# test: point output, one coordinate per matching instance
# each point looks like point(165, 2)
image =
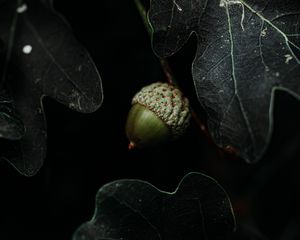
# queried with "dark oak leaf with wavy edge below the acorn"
point(136, 210)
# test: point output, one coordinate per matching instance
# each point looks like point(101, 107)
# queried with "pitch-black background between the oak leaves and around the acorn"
point(86, 151)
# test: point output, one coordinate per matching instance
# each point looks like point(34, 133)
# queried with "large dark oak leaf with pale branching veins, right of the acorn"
point(246, 50)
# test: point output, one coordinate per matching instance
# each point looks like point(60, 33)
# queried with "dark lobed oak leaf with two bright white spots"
point(43, 58)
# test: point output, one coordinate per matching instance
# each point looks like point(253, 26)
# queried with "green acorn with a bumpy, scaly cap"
point(159, 113)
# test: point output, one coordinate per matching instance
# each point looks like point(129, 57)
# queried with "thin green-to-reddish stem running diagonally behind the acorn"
point(167, 68)
